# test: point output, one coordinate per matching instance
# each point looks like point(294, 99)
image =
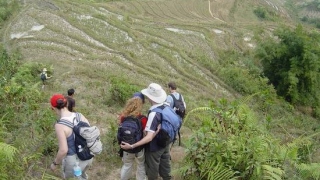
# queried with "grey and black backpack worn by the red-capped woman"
point(86, 138)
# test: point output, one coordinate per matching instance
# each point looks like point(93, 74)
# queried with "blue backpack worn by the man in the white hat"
point(170, 125)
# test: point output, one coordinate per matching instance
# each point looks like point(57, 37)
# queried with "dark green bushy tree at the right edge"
point(291, 62)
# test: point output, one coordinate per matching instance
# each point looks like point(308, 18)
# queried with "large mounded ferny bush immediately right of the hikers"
point(229, 145)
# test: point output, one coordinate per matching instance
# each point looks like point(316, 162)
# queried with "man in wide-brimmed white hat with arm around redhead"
point(157, 157)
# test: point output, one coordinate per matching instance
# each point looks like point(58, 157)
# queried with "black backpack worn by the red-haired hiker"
point(130, 131)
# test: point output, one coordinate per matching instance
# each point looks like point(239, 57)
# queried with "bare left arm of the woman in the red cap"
point(63, 146)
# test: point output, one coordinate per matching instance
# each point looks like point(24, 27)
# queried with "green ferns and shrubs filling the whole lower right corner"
point(231, 141)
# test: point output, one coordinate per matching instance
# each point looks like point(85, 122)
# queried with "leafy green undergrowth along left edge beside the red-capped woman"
point(19, 98)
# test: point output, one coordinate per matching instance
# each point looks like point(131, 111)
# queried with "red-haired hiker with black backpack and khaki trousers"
point(131, 128)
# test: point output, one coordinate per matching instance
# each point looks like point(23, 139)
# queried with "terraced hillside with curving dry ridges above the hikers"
point(145, 39)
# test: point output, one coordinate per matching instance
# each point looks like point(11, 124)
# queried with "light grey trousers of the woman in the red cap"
point(69, 162)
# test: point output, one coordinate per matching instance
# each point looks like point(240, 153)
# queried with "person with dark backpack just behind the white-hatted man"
point(176, 100)
